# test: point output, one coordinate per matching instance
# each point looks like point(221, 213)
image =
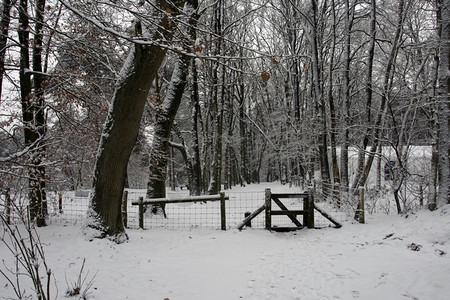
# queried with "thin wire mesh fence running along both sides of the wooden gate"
point(69, 208)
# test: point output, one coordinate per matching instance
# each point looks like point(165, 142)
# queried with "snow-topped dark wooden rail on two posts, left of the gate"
point(188, 199)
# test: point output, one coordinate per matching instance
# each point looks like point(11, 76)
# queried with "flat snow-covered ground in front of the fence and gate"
point(371, 261)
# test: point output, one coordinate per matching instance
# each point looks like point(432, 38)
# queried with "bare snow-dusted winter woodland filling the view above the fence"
point(209, 96)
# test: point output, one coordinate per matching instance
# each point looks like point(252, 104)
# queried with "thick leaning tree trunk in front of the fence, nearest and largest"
point(122, 126)
